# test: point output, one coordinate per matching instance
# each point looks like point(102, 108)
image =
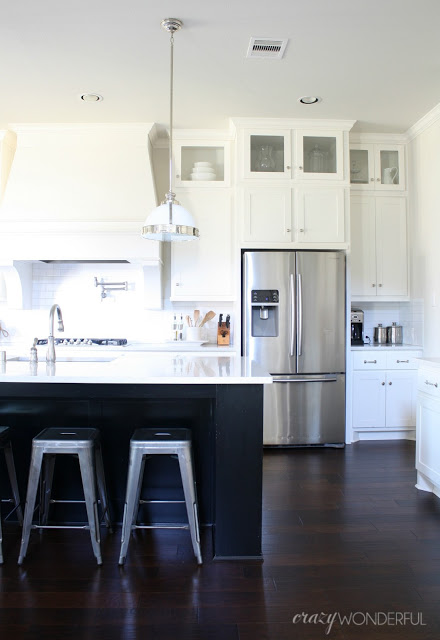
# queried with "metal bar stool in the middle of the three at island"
point(85, 444)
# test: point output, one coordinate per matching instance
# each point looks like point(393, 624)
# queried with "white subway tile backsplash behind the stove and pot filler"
point(120, 315)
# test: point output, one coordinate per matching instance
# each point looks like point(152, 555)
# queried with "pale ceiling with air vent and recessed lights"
point(377, 61)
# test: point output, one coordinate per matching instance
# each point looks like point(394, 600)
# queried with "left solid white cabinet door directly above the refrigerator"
point(267, 215)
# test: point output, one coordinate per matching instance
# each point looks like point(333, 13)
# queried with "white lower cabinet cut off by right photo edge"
point(428, 430)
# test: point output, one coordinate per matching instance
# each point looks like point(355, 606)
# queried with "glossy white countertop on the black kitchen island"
point(139, 368)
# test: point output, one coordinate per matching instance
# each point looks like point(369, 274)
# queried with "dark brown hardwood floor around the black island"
point(344, 533)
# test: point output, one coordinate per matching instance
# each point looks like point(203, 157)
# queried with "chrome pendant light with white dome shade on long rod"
point(170, 222)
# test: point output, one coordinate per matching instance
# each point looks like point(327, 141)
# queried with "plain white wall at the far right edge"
point(424, 178)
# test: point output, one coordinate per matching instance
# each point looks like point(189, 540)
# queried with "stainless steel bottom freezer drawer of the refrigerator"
point(304, 410)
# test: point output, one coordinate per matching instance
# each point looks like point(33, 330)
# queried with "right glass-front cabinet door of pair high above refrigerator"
point(319, 155)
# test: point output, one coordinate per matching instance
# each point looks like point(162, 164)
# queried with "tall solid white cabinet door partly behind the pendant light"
point(203, 269)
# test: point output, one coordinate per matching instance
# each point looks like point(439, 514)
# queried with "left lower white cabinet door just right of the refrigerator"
point(368, 399)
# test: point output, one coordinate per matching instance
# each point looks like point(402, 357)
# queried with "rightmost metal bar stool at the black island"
point(147, 442)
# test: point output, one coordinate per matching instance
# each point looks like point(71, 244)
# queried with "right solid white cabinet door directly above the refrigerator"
point(320, 215)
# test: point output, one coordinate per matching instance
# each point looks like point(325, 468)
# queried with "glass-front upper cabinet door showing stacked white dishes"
point(200, 163)
